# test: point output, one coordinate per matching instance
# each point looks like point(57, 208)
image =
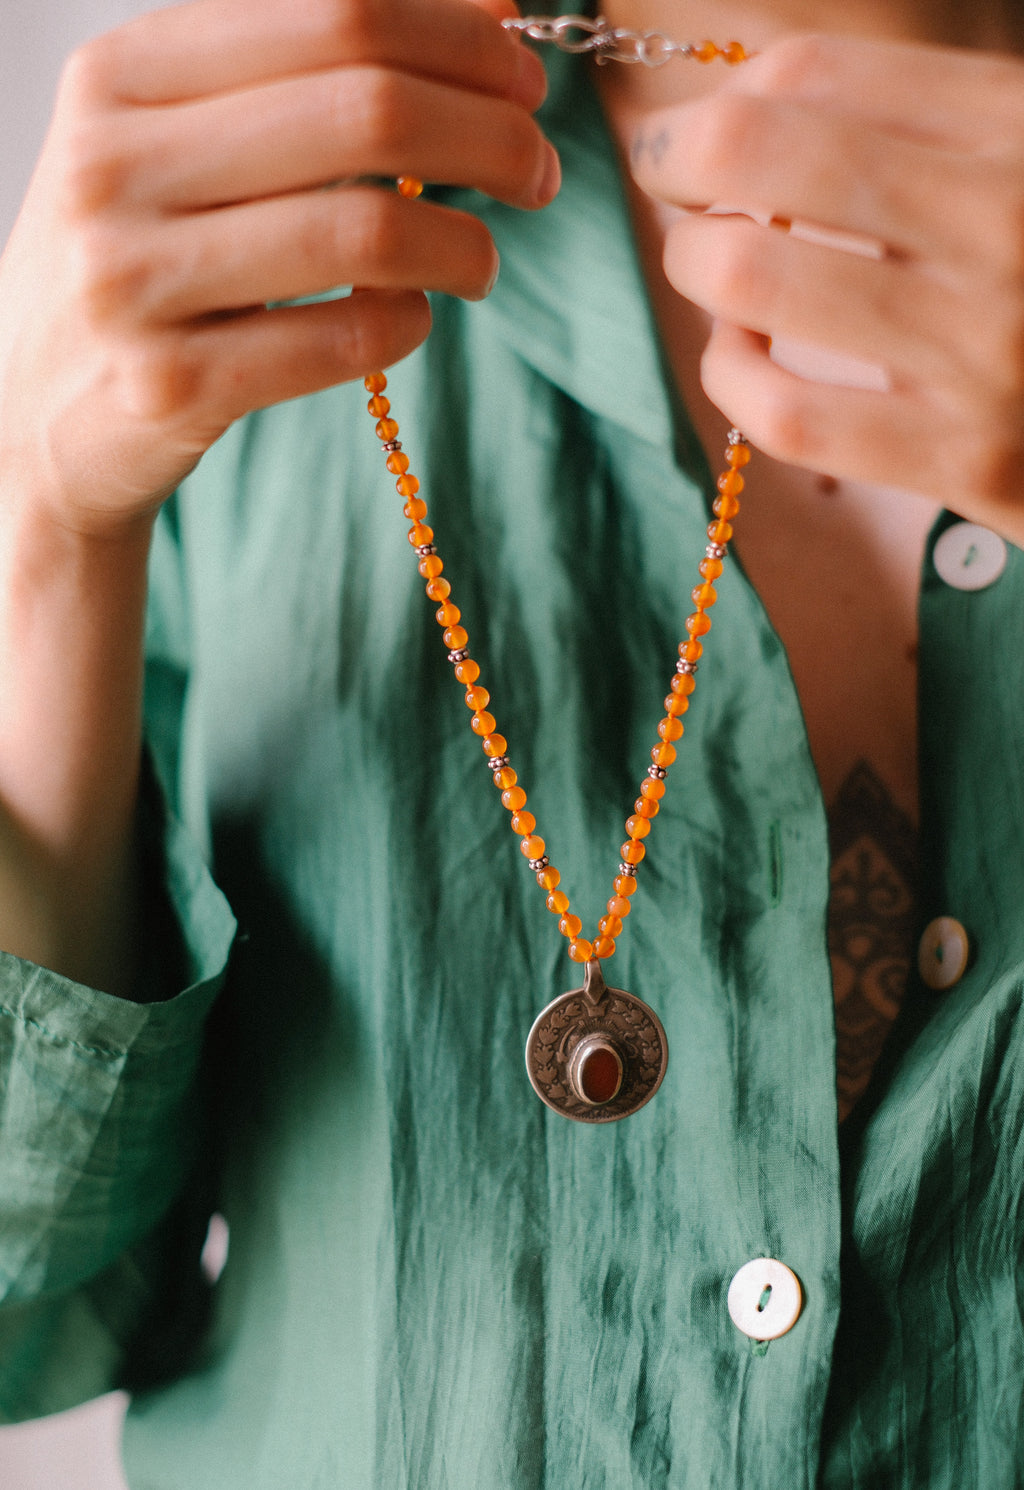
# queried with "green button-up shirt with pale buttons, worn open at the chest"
point(436, 1284)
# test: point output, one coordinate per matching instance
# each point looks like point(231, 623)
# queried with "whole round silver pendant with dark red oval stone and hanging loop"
point(597, 1054)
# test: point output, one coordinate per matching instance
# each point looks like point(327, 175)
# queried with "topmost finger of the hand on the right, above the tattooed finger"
point(937, 95)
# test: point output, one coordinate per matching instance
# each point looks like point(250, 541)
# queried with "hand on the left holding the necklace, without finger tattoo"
point(184, 188)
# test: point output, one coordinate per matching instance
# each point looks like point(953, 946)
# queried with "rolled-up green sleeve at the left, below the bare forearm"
point(99, 1130)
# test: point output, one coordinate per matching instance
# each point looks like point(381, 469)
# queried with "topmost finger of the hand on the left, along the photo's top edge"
point(211, 47)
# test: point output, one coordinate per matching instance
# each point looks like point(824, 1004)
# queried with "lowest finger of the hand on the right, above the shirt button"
point(897, 440)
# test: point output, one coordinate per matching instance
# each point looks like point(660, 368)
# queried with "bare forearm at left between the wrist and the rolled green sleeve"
point(71, 707)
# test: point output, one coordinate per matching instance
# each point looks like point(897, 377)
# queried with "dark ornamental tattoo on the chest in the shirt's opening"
point(873, 923)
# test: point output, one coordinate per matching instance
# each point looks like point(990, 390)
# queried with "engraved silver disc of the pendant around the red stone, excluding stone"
point(597, 1009)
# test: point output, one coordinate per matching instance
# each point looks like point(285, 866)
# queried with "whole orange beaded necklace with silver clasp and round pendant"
point(595, 1054)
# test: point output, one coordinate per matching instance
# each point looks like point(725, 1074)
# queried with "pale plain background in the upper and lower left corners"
point(77, 1452)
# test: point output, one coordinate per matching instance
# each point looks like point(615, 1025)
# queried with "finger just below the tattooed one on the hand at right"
point(894, 314)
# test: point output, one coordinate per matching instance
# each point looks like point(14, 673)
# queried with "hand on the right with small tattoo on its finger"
point(917, 151)
